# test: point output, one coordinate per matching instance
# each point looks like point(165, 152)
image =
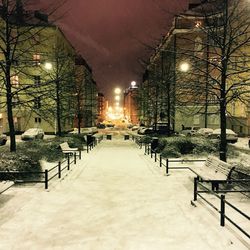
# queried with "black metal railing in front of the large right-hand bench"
point(223, 202)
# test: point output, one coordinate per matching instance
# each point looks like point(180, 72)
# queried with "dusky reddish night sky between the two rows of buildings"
point(107, 34)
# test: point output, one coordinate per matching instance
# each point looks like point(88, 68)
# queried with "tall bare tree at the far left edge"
point(17, 29)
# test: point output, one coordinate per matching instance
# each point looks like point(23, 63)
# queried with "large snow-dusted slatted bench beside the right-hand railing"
point(214, 171)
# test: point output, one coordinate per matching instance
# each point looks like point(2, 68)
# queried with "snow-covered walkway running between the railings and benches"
point(116, 198)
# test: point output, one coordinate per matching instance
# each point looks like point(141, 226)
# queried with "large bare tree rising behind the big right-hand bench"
point(220, 62)
